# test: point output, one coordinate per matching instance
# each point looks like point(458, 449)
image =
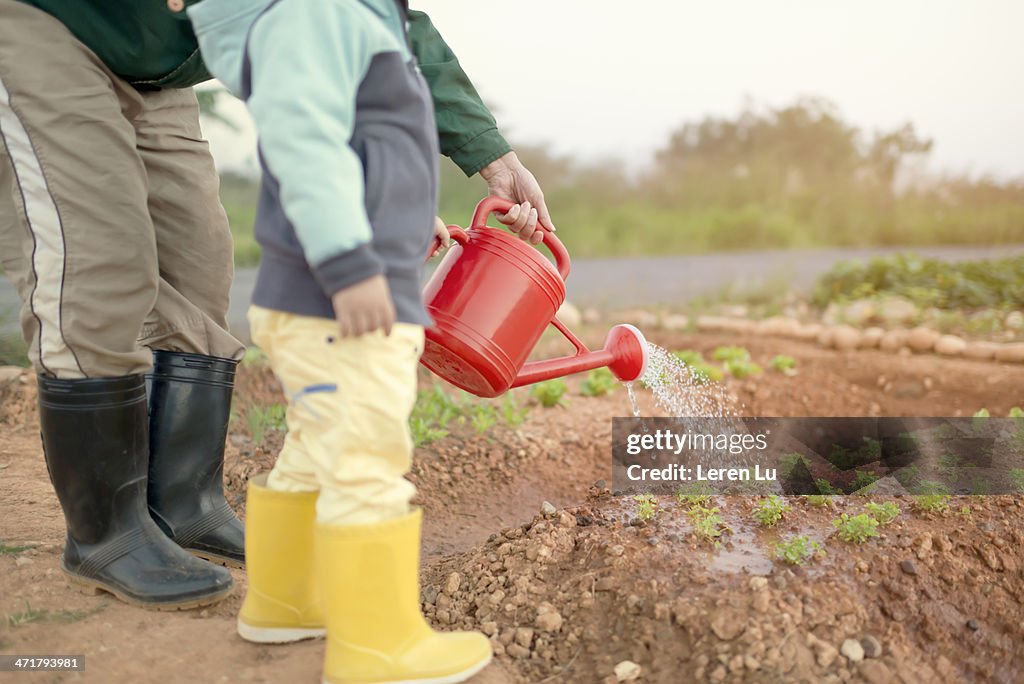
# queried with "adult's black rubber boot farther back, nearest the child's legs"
point(190, 408)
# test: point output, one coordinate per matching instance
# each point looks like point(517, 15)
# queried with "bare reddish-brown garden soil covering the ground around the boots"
point(569, 595)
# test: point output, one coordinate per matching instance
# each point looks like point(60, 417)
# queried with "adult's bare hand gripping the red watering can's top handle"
point(509, 180)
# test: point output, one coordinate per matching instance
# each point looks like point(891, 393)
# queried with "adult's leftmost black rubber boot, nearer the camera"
point(96, 440)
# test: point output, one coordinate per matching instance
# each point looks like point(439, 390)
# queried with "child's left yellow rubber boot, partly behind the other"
point(282, 605)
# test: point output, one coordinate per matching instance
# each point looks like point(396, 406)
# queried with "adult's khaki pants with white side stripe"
point(111, 226)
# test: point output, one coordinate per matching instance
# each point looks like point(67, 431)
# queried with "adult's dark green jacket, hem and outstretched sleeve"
point(153, 48)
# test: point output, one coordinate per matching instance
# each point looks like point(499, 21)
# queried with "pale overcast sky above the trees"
point(602, 79)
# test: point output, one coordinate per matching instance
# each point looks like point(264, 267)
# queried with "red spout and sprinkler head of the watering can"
point(625, 354)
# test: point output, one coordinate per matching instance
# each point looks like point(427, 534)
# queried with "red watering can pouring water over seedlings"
point(491, 298)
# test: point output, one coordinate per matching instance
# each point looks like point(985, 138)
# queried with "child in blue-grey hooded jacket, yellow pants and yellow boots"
point(350, 154)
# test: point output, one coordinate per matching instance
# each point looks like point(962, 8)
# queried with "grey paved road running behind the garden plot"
point(652, 281)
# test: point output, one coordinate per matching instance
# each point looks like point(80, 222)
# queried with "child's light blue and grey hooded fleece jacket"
point(347, 139)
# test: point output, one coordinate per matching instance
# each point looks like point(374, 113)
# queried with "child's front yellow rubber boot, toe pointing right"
point(369, 578)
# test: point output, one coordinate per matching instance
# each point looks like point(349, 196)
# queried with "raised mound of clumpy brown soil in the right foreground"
point(578, 592)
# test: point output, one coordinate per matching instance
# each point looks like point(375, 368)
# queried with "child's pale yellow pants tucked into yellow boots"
point(349, 407)
